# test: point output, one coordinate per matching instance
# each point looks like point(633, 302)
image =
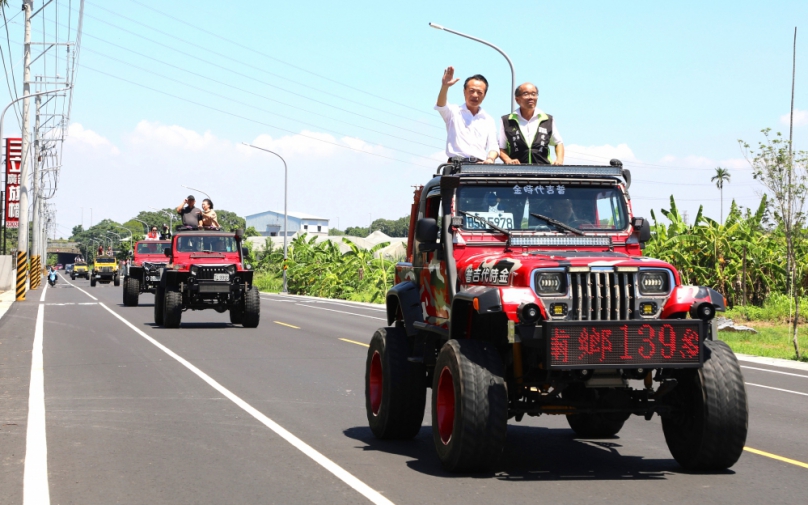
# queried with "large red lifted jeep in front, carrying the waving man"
point(526, 293)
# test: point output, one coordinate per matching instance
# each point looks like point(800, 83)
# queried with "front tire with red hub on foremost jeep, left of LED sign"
point(469, 405)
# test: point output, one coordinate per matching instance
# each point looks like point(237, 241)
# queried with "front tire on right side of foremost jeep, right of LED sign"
point(707, 429)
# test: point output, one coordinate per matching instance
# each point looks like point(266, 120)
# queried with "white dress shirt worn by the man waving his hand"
point(468, 135)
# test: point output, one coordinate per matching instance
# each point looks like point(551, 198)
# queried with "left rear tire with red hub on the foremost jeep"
point(395, 388)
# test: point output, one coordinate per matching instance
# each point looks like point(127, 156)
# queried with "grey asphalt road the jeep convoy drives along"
point(215, 413)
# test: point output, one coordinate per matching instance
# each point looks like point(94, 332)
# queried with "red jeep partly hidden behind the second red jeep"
point(143, 275)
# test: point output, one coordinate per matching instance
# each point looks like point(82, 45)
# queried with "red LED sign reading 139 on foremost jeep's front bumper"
point(621, 344)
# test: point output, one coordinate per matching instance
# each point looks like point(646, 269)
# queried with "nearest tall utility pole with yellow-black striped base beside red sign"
point(22, 246)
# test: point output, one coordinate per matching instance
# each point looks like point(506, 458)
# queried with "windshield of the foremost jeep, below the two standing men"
point(519, 207)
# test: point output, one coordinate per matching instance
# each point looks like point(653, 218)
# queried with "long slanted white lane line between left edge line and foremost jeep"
point(363, 489)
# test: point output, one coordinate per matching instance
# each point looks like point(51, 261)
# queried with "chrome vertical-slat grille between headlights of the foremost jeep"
point(603, 295)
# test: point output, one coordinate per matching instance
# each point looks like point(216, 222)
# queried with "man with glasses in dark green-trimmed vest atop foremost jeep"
point(525, 135)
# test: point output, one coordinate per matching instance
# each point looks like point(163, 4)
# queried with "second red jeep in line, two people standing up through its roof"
point(206, 270)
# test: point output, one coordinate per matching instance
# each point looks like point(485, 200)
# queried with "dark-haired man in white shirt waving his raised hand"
point(470, 132)
